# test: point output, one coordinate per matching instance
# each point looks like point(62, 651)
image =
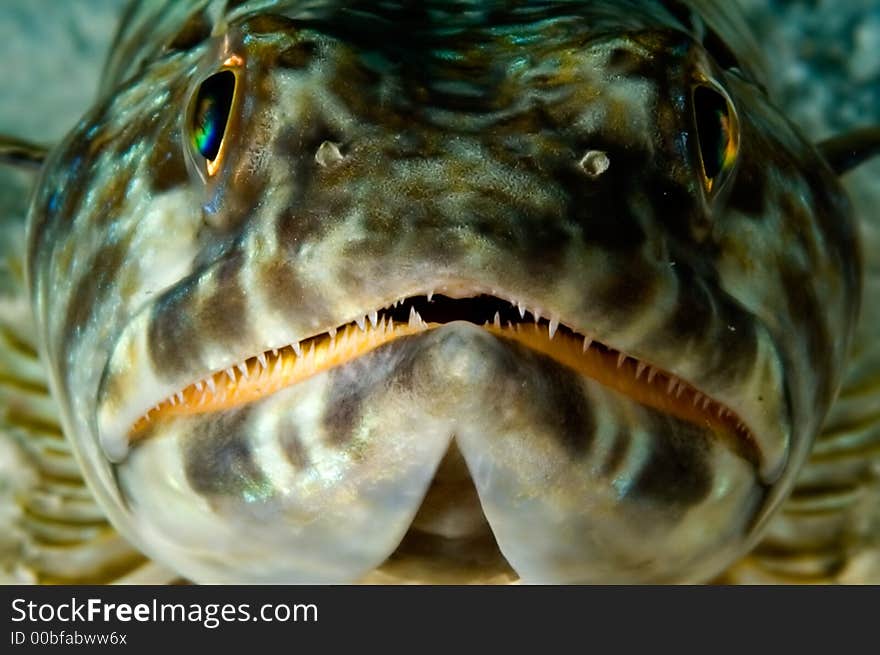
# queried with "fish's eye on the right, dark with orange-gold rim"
point(717, 133)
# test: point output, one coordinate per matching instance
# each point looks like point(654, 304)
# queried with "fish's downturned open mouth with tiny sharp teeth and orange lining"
point(269, 371)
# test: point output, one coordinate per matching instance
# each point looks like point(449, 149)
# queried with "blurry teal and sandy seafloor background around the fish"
point(823, 57)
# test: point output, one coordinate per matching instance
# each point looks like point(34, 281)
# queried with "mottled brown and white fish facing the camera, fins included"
point(497, 292)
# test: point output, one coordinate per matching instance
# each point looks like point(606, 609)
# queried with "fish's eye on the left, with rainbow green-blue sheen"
point(210, 115)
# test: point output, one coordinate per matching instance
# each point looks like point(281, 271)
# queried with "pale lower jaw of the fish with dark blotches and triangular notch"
point(445, 456)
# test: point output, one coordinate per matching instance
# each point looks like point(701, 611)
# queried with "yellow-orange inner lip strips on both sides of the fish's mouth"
point(272, 371)
